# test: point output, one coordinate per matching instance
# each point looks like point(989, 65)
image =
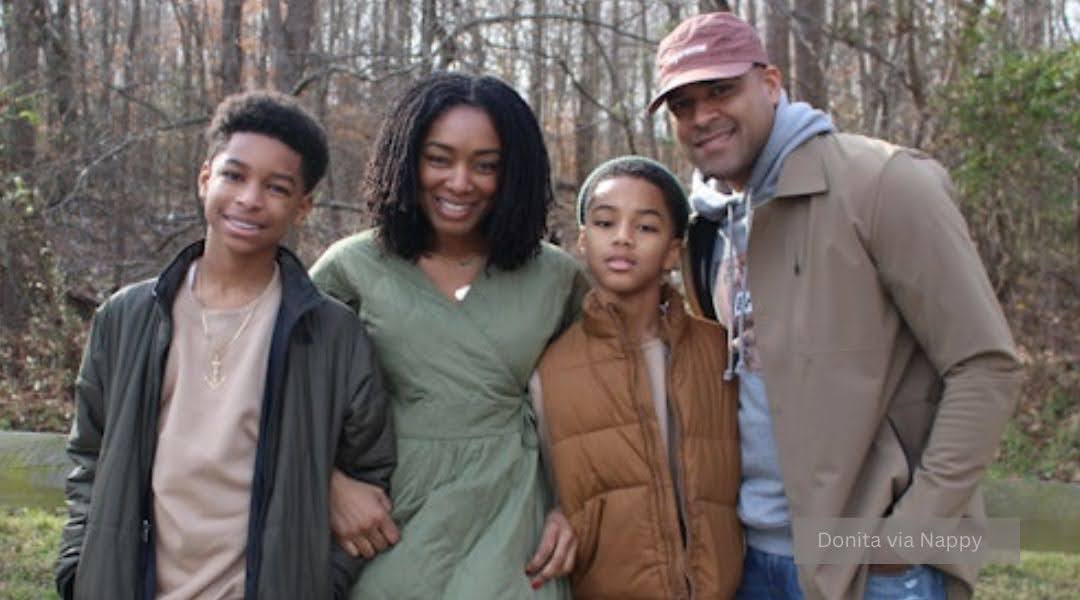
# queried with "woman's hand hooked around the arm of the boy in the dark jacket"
point(360, 516)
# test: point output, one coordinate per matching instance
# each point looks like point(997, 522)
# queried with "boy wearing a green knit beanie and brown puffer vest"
point(640, 427)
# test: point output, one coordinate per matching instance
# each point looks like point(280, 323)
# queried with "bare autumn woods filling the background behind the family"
point(103, 104)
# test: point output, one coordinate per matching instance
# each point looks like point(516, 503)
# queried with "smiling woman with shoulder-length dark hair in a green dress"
point(461, 296)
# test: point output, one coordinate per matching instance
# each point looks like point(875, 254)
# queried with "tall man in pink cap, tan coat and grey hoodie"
point(876, 369)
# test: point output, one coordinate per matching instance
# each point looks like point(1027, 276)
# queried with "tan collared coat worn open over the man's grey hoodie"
point(889, 366)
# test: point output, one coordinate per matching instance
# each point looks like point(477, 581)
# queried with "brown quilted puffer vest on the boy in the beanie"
point(645, 533)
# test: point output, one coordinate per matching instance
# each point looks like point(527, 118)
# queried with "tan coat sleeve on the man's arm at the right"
point(933, 270)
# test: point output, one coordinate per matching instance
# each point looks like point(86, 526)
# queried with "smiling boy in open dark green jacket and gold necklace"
point(214, 402)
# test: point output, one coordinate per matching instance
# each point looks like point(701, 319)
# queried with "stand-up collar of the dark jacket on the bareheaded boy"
point(299, 294)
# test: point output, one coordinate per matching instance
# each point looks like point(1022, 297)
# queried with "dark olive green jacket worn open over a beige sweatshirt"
point(323, 407)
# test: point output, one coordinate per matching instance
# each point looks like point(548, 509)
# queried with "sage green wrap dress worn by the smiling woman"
point(469, 494)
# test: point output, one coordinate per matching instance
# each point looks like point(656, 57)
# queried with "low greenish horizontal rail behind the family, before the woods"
point(33, 468)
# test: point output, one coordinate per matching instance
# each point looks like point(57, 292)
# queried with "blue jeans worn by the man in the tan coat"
point(769, 577)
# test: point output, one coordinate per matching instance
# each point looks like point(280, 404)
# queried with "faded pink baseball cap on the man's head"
point(711, 46)
